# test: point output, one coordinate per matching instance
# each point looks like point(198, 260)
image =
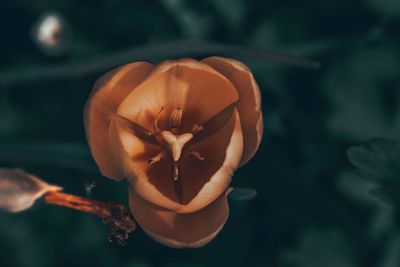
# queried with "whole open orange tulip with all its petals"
point(177, 131)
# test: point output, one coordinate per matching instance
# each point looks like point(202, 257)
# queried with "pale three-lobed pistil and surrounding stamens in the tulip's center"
point(173, 142)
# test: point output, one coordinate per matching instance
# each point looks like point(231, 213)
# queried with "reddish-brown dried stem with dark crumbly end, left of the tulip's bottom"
point(118, 218)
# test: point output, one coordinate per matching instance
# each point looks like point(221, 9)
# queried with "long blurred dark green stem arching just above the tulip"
point(147, 52)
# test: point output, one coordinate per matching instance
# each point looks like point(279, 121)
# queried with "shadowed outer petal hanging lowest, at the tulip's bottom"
point(180, 230)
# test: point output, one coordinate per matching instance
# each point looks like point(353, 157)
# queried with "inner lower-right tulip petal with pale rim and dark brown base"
point(203, 181)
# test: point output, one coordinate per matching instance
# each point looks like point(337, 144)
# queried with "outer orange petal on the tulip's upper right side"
point(249, 104)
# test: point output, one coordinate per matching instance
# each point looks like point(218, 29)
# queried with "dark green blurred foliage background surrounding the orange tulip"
point(312, 209)
